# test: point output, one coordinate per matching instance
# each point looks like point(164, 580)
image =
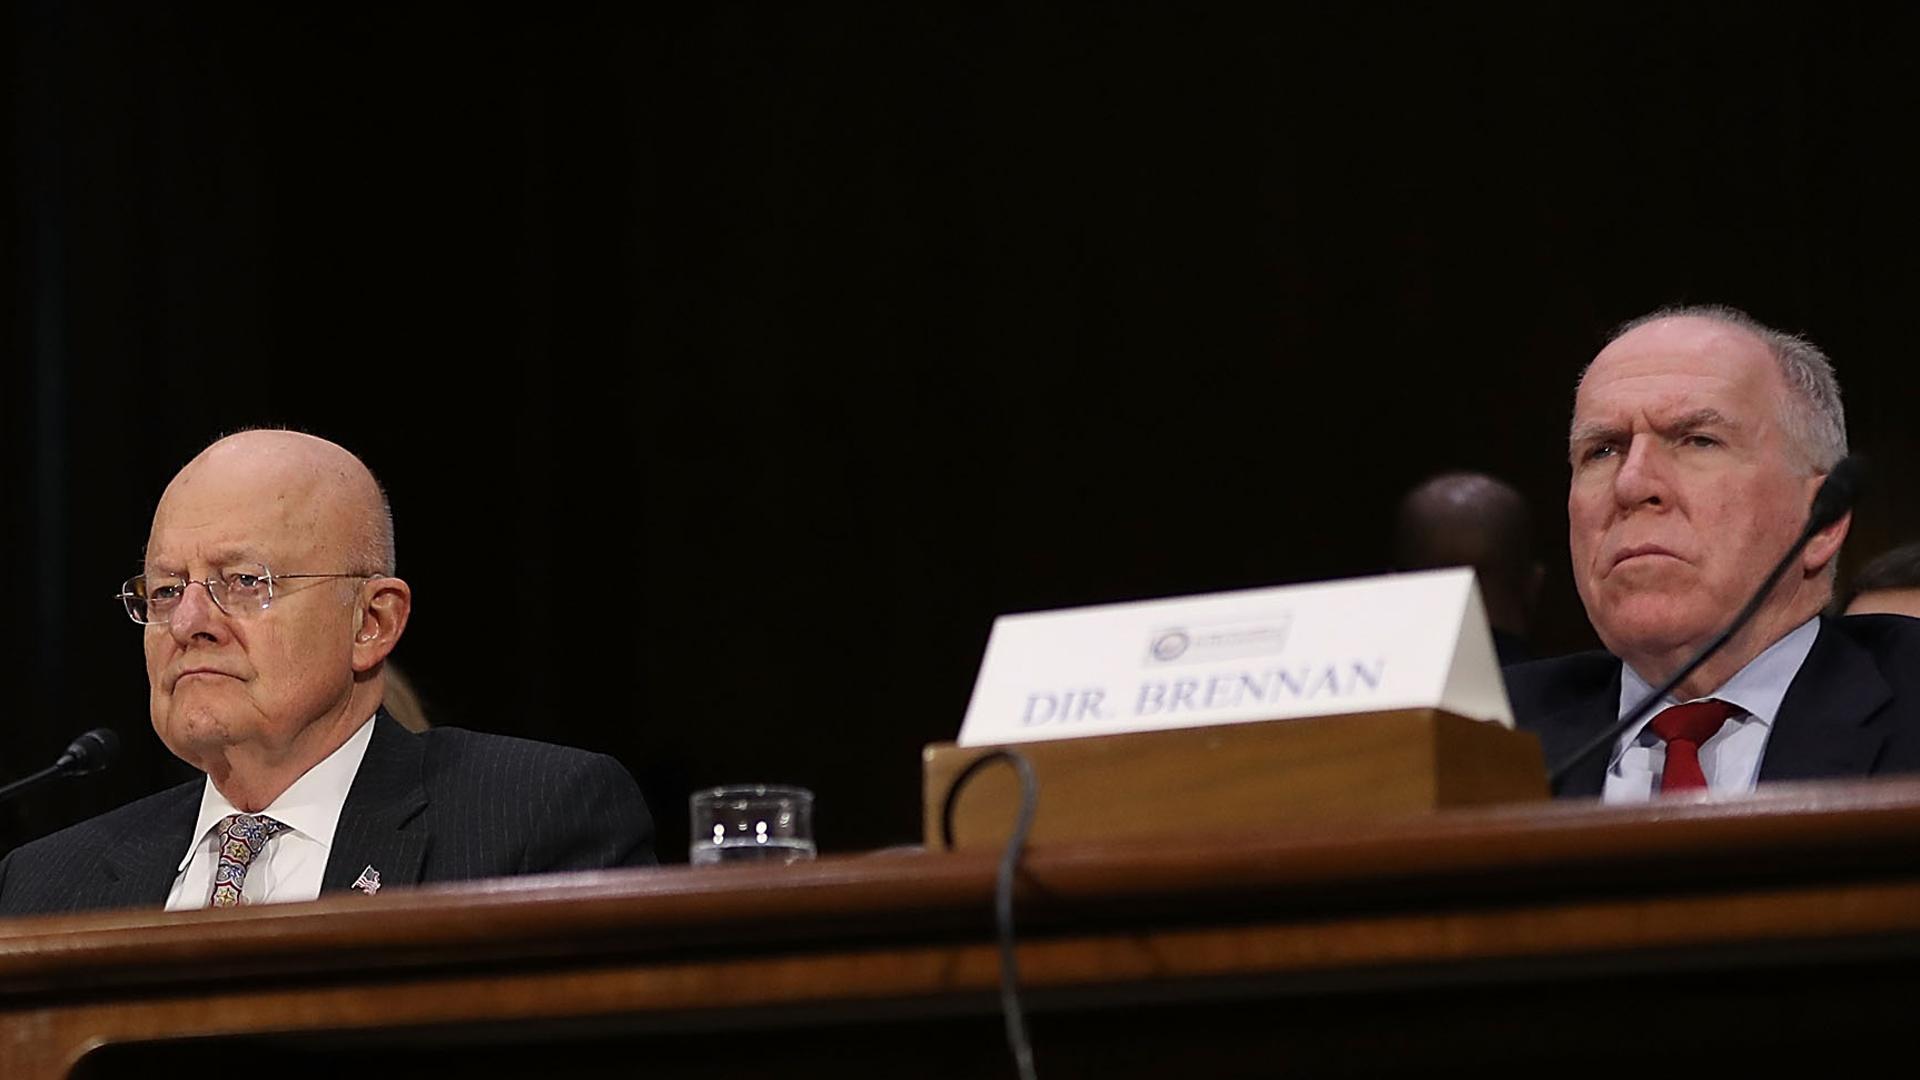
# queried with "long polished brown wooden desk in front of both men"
point(1522, 941)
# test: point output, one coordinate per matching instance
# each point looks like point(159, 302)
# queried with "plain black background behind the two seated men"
point(732, 366)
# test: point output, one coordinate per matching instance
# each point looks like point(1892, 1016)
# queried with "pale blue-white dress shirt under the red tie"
point(1733, 756)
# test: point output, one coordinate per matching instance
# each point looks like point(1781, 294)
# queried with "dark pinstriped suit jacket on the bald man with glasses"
point(423, 808)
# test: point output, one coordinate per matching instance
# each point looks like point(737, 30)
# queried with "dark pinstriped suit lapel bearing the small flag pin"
point(379, 823)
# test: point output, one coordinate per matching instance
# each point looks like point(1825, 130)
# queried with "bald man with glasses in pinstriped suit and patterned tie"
point(268, 610)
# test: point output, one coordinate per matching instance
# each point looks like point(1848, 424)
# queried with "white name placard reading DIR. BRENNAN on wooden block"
point(1308, 650)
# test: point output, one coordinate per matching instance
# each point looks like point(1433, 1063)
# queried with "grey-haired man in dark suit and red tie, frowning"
point(1698, 443)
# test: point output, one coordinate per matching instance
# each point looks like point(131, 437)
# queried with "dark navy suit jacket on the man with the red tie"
point(1854, 710)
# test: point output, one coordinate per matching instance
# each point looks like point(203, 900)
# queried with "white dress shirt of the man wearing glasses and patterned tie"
point(293, 864)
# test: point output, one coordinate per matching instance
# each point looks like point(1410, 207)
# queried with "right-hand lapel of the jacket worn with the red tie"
point(1821, 729)
